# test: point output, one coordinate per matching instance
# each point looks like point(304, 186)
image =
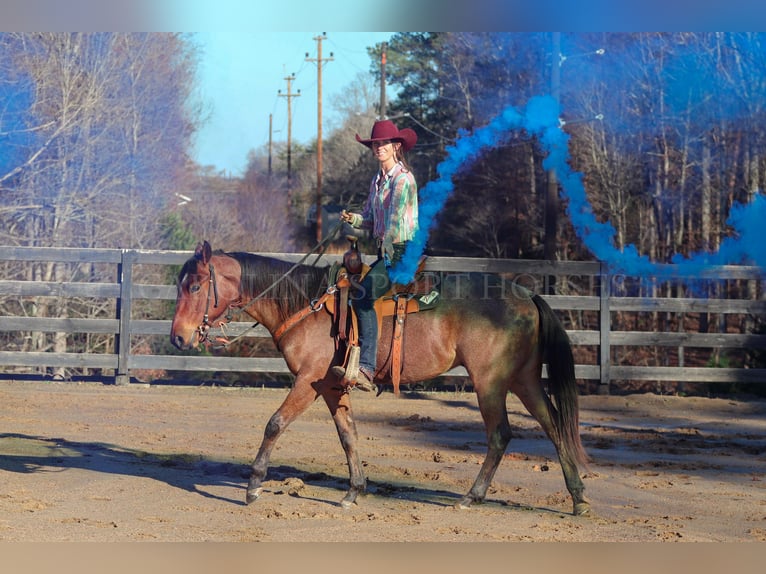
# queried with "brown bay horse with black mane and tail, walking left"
point(501, 341)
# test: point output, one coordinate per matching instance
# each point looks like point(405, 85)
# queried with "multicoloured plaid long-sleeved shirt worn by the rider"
point(391, 209)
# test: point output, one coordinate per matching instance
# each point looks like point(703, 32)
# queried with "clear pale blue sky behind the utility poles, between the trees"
point(240, 75)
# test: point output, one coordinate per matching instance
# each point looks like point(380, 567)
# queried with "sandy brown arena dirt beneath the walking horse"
point(92, 462)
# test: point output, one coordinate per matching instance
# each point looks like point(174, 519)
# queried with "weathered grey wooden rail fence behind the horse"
point(590, 313)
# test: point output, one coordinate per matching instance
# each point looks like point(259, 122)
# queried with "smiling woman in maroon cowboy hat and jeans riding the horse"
point(391, 213)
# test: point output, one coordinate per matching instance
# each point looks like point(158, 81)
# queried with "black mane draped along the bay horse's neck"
point(292, 292)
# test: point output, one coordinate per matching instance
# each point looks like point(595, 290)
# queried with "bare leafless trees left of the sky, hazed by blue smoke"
point(99, 125)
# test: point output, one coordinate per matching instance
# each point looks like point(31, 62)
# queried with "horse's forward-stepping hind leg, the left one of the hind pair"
point(493, 411)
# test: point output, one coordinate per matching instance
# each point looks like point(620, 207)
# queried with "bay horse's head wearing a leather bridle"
point(208, 285)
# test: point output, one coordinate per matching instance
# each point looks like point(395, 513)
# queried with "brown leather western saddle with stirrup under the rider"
point(396, 304)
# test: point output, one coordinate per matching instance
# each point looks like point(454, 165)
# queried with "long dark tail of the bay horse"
point(562, 385)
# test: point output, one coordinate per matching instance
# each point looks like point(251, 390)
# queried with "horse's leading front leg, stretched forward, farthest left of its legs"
point(297, 401)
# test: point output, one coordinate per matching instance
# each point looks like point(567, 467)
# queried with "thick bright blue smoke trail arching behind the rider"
point(541, 117)
